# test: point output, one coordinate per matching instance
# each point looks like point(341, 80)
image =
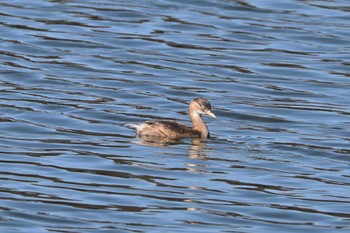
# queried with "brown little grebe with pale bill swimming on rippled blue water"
point(172, 129)
